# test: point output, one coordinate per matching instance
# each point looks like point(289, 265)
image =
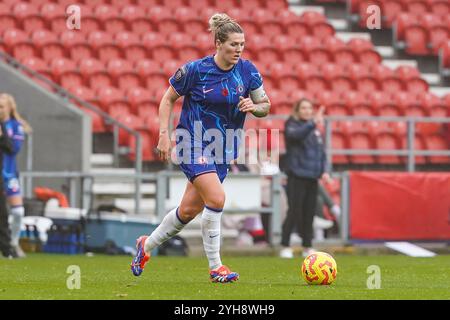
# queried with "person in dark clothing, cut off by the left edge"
point(5, 238)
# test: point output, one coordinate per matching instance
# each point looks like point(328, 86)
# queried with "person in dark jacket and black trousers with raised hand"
point(305, 165)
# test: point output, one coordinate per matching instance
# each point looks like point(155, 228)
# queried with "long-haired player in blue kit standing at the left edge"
point(16, 127)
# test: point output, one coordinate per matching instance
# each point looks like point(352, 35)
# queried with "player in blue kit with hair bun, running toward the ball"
point(219, 90)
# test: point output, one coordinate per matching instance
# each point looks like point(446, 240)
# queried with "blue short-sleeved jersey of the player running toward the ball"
point(211, 98)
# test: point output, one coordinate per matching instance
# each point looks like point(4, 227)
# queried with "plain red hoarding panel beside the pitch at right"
point(399, 206)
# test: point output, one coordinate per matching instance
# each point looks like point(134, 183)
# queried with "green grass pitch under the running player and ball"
point(44, 276)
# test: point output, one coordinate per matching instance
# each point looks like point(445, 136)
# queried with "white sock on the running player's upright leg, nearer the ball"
point(211, 235)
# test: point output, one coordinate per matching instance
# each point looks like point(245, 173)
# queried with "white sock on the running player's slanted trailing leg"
point(169, 227)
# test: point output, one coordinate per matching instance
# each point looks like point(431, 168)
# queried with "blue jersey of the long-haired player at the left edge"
point(15, 132)
